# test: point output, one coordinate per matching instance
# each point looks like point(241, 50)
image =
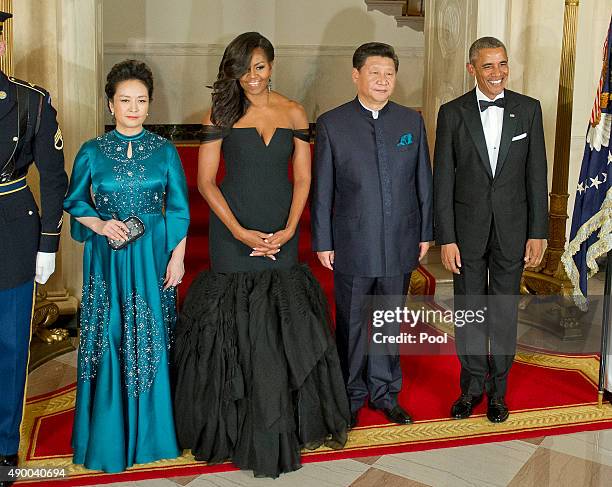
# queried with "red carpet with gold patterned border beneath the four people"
point(548, 394)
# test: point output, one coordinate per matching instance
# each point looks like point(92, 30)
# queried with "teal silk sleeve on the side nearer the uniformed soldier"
point(78, 201)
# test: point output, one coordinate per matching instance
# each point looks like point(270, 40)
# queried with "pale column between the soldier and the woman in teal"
point(58, 45)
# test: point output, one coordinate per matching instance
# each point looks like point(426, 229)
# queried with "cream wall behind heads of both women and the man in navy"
point(183, 42)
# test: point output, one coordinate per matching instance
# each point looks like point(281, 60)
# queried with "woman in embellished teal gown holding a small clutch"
point(124, 409)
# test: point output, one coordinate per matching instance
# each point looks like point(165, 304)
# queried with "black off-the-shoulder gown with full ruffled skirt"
point(257, 374)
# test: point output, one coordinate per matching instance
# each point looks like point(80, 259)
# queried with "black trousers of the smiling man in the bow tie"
point(486, 350)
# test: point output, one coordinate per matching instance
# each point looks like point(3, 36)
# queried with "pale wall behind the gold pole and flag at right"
point(536, 33)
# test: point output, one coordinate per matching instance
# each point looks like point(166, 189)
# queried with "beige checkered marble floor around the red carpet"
point(580, 459)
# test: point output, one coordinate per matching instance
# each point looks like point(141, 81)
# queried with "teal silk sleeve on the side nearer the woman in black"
point(177, 203)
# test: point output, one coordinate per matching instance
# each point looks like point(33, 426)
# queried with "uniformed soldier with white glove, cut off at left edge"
point(28, 242)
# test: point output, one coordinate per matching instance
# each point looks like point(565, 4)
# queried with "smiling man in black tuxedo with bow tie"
point(490, 199)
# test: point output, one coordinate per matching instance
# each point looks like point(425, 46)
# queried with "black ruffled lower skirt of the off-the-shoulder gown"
point(256, 370)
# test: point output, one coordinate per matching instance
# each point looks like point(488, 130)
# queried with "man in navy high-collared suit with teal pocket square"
point(372, 217)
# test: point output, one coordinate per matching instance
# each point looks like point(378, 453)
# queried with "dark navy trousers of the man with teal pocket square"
point(377, 375)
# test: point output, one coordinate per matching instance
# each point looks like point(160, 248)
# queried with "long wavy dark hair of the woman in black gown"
point(229, 103)
